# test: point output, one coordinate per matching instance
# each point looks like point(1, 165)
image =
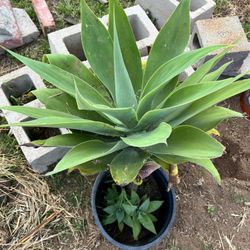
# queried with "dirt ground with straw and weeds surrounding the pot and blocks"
point(209, 217)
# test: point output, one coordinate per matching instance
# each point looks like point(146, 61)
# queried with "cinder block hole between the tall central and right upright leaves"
point(138, 27)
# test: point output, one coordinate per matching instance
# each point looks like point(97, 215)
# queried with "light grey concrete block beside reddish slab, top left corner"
point(27, 27)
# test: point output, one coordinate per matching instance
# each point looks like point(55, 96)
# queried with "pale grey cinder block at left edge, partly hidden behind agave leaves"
point(17, 83)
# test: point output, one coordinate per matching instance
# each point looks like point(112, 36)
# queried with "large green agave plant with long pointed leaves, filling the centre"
point(122, 115)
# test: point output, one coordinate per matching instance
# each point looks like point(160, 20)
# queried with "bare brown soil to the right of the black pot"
point(228, 227)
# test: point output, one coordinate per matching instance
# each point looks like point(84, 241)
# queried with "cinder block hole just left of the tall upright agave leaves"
point(74, 46)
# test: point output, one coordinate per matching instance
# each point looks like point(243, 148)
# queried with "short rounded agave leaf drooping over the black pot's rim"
point(126, 165)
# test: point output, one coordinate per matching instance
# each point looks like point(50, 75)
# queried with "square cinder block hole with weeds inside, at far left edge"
point(18, 90)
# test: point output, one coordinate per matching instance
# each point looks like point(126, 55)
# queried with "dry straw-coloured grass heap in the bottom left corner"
point(31, 217)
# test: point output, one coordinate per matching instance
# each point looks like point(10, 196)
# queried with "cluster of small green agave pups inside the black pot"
point(130, 210)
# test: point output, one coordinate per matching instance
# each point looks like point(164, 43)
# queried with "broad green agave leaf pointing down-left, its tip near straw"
point(85, 152)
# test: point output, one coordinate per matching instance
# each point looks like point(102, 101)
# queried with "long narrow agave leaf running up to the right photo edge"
point(210, 100)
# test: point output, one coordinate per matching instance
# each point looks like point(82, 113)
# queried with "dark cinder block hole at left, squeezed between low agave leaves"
point(35, 133)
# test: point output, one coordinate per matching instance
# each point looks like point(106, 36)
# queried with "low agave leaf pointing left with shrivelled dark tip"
point(65, 140)
